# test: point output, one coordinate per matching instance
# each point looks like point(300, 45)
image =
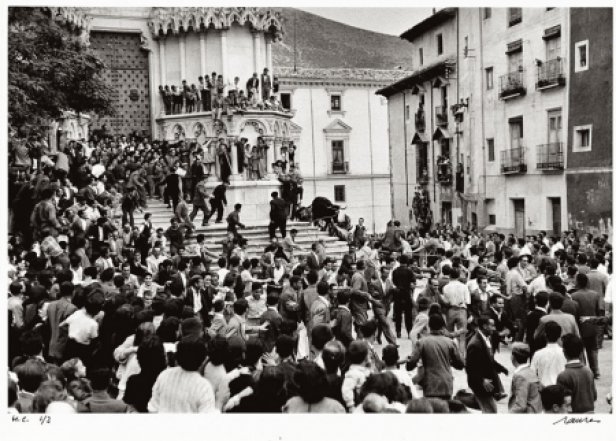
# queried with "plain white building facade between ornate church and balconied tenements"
point(342, 151)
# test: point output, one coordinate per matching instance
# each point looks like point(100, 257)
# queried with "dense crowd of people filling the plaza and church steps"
point(115, 316)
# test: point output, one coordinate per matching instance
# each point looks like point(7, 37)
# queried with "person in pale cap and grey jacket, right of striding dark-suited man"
point(525, 397)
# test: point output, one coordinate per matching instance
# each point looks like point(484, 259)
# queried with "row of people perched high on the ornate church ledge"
point(217, 95)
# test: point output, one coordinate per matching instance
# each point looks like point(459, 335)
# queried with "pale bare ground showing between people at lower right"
point(604, 383)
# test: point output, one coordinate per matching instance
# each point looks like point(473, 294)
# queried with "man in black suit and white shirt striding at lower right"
point(481, 368)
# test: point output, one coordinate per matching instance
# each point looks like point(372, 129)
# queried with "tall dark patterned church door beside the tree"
point(127, 73)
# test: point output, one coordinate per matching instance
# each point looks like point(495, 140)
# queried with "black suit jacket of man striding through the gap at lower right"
point(480, 365)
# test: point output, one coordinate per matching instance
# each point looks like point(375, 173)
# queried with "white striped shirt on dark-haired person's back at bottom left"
point(180, 391)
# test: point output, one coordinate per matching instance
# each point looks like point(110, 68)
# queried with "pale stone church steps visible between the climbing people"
point(256, 233)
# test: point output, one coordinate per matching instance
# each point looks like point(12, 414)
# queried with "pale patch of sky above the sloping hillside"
point(392, 21)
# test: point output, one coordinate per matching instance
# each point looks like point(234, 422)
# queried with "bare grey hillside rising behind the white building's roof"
point(324, 43)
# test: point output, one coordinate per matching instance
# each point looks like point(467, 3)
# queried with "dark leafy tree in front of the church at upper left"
point(51, 70)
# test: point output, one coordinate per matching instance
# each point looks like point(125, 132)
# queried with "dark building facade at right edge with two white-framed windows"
point(589, 147)
